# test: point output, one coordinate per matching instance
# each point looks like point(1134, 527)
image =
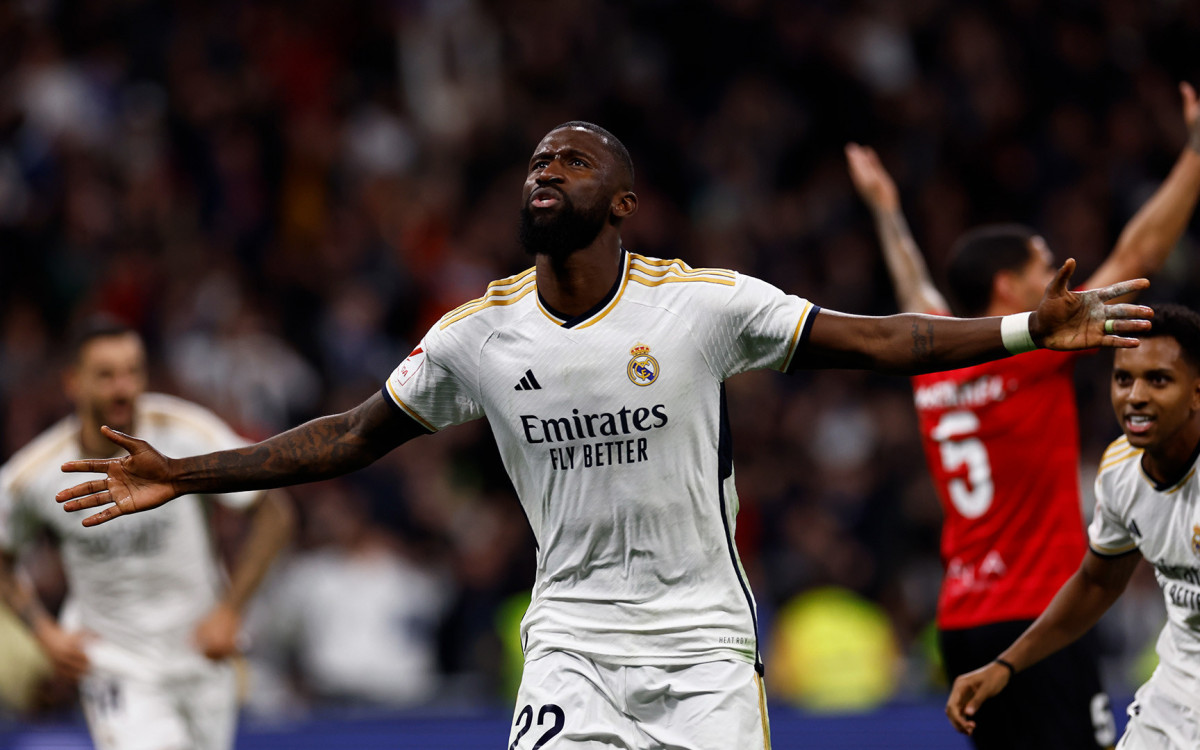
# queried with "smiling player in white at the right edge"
point(1148, 506)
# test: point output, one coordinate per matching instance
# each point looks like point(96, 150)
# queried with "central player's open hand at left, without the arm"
point(135, 483)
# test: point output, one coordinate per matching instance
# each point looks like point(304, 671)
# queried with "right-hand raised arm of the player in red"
point(1156, 229)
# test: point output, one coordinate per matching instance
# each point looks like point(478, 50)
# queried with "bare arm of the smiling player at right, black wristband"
point(1078, 605)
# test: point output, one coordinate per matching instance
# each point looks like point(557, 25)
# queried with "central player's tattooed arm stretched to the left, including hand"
point(320, 449)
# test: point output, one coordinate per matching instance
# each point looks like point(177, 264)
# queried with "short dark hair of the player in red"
point(979, 256)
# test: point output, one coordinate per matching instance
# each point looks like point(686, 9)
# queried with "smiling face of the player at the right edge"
point(1156, 393)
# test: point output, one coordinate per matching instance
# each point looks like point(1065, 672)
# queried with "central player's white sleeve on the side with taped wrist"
point(759, 327)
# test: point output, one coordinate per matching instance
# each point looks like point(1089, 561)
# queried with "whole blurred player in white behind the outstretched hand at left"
point(149, 623)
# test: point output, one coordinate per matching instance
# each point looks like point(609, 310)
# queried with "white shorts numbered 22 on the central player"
point(569, 701)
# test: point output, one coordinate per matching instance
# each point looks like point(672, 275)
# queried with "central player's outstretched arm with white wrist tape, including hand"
point(913, 344)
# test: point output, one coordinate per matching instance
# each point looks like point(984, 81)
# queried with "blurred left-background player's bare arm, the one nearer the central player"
point(272, 526)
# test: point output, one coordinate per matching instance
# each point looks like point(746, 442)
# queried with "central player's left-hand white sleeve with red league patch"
point(433, 385)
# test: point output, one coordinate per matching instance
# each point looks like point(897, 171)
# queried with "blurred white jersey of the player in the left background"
point(142, 583)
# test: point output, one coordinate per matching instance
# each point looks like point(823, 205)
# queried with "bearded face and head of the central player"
point(568, 193)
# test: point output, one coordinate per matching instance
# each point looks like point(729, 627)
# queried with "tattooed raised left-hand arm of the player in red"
point(910, 275)
